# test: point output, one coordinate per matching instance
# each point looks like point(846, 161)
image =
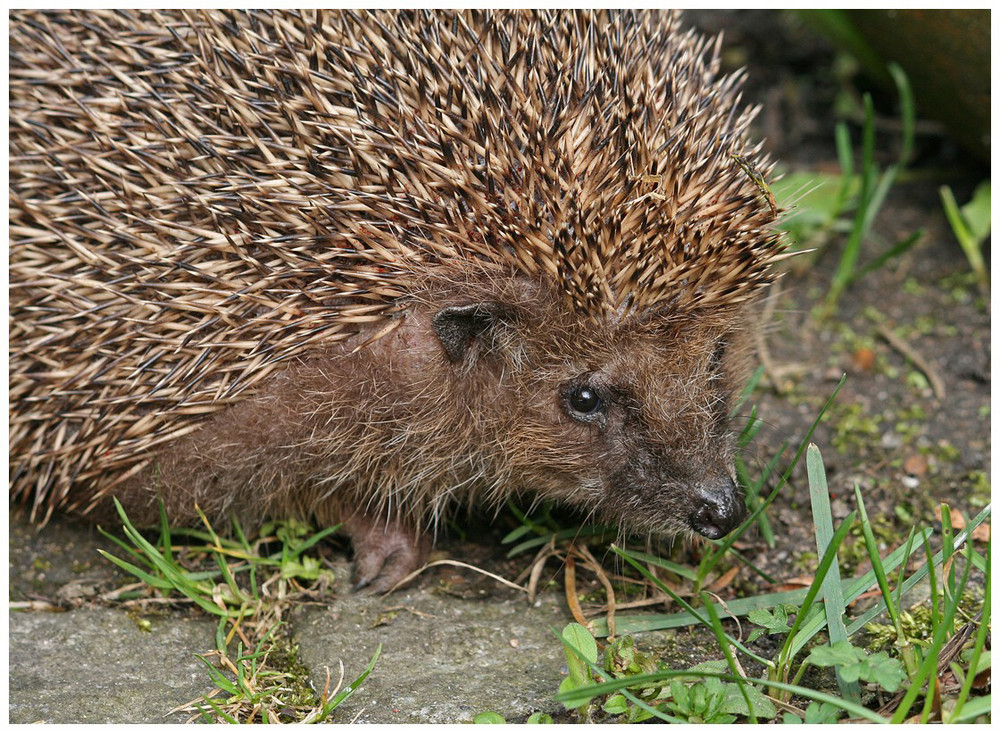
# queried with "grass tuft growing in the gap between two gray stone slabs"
point(249, 589)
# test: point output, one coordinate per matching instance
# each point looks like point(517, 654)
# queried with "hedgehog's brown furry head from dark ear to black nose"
point(630, 425)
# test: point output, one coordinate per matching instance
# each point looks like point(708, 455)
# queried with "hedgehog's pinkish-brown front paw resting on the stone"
point(385, 552)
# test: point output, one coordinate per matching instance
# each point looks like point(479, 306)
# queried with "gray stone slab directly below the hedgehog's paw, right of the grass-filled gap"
point(443, 659)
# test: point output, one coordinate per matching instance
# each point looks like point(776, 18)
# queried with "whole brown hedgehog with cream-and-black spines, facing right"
point(370, 268)
